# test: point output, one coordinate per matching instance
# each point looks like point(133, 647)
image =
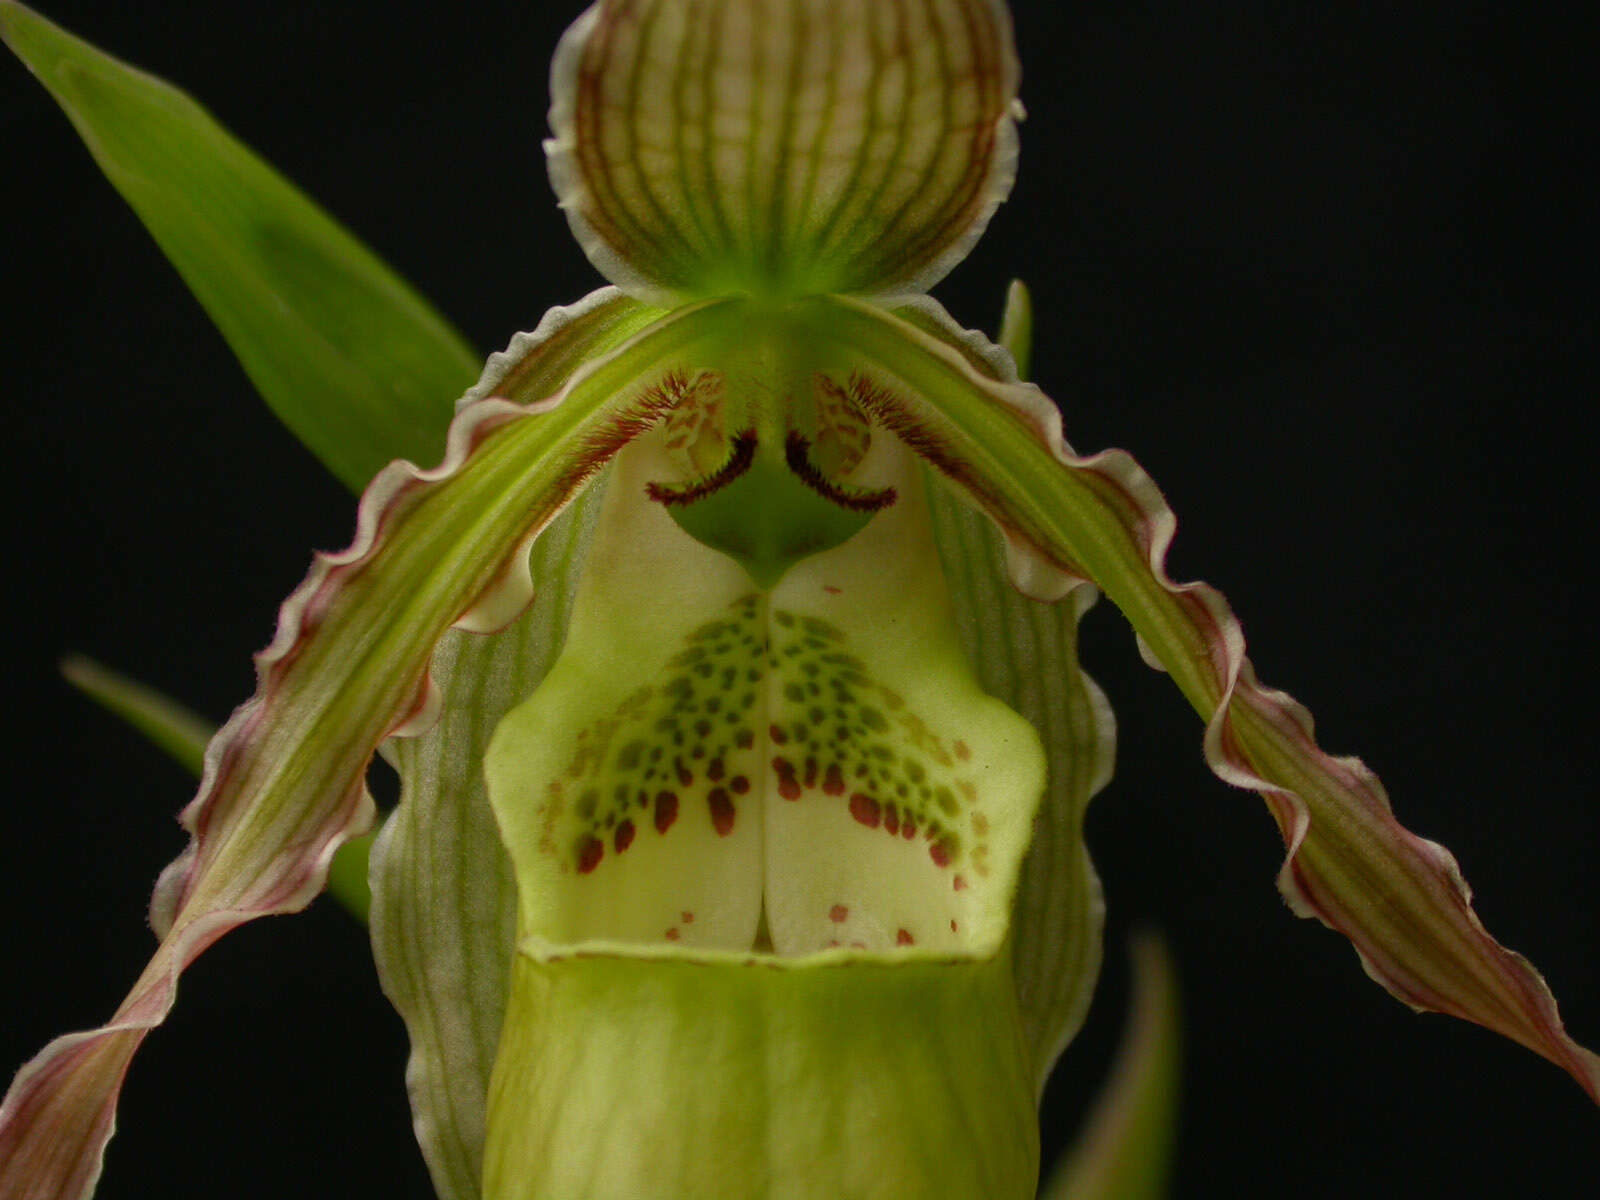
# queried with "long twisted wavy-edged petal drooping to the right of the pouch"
point(1398, 897)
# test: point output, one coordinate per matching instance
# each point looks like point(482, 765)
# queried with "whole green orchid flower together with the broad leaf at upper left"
point(727, 657)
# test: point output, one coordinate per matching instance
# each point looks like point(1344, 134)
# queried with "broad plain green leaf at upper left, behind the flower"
point(356, 364)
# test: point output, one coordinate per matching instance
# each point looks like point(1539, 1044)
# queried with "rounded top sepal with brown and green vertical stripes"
point(783, 146)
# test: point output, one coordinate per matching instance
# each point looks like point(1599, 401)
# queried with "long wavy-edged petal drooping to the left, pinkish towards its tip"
point(284, 782)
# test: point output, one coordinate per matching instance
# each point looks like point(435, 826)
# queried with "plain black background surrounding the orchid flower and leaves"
point(1324, 268)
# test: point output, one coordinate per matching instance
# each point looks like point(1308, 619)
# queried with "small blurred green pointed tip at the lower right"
point(1126, 1150)
